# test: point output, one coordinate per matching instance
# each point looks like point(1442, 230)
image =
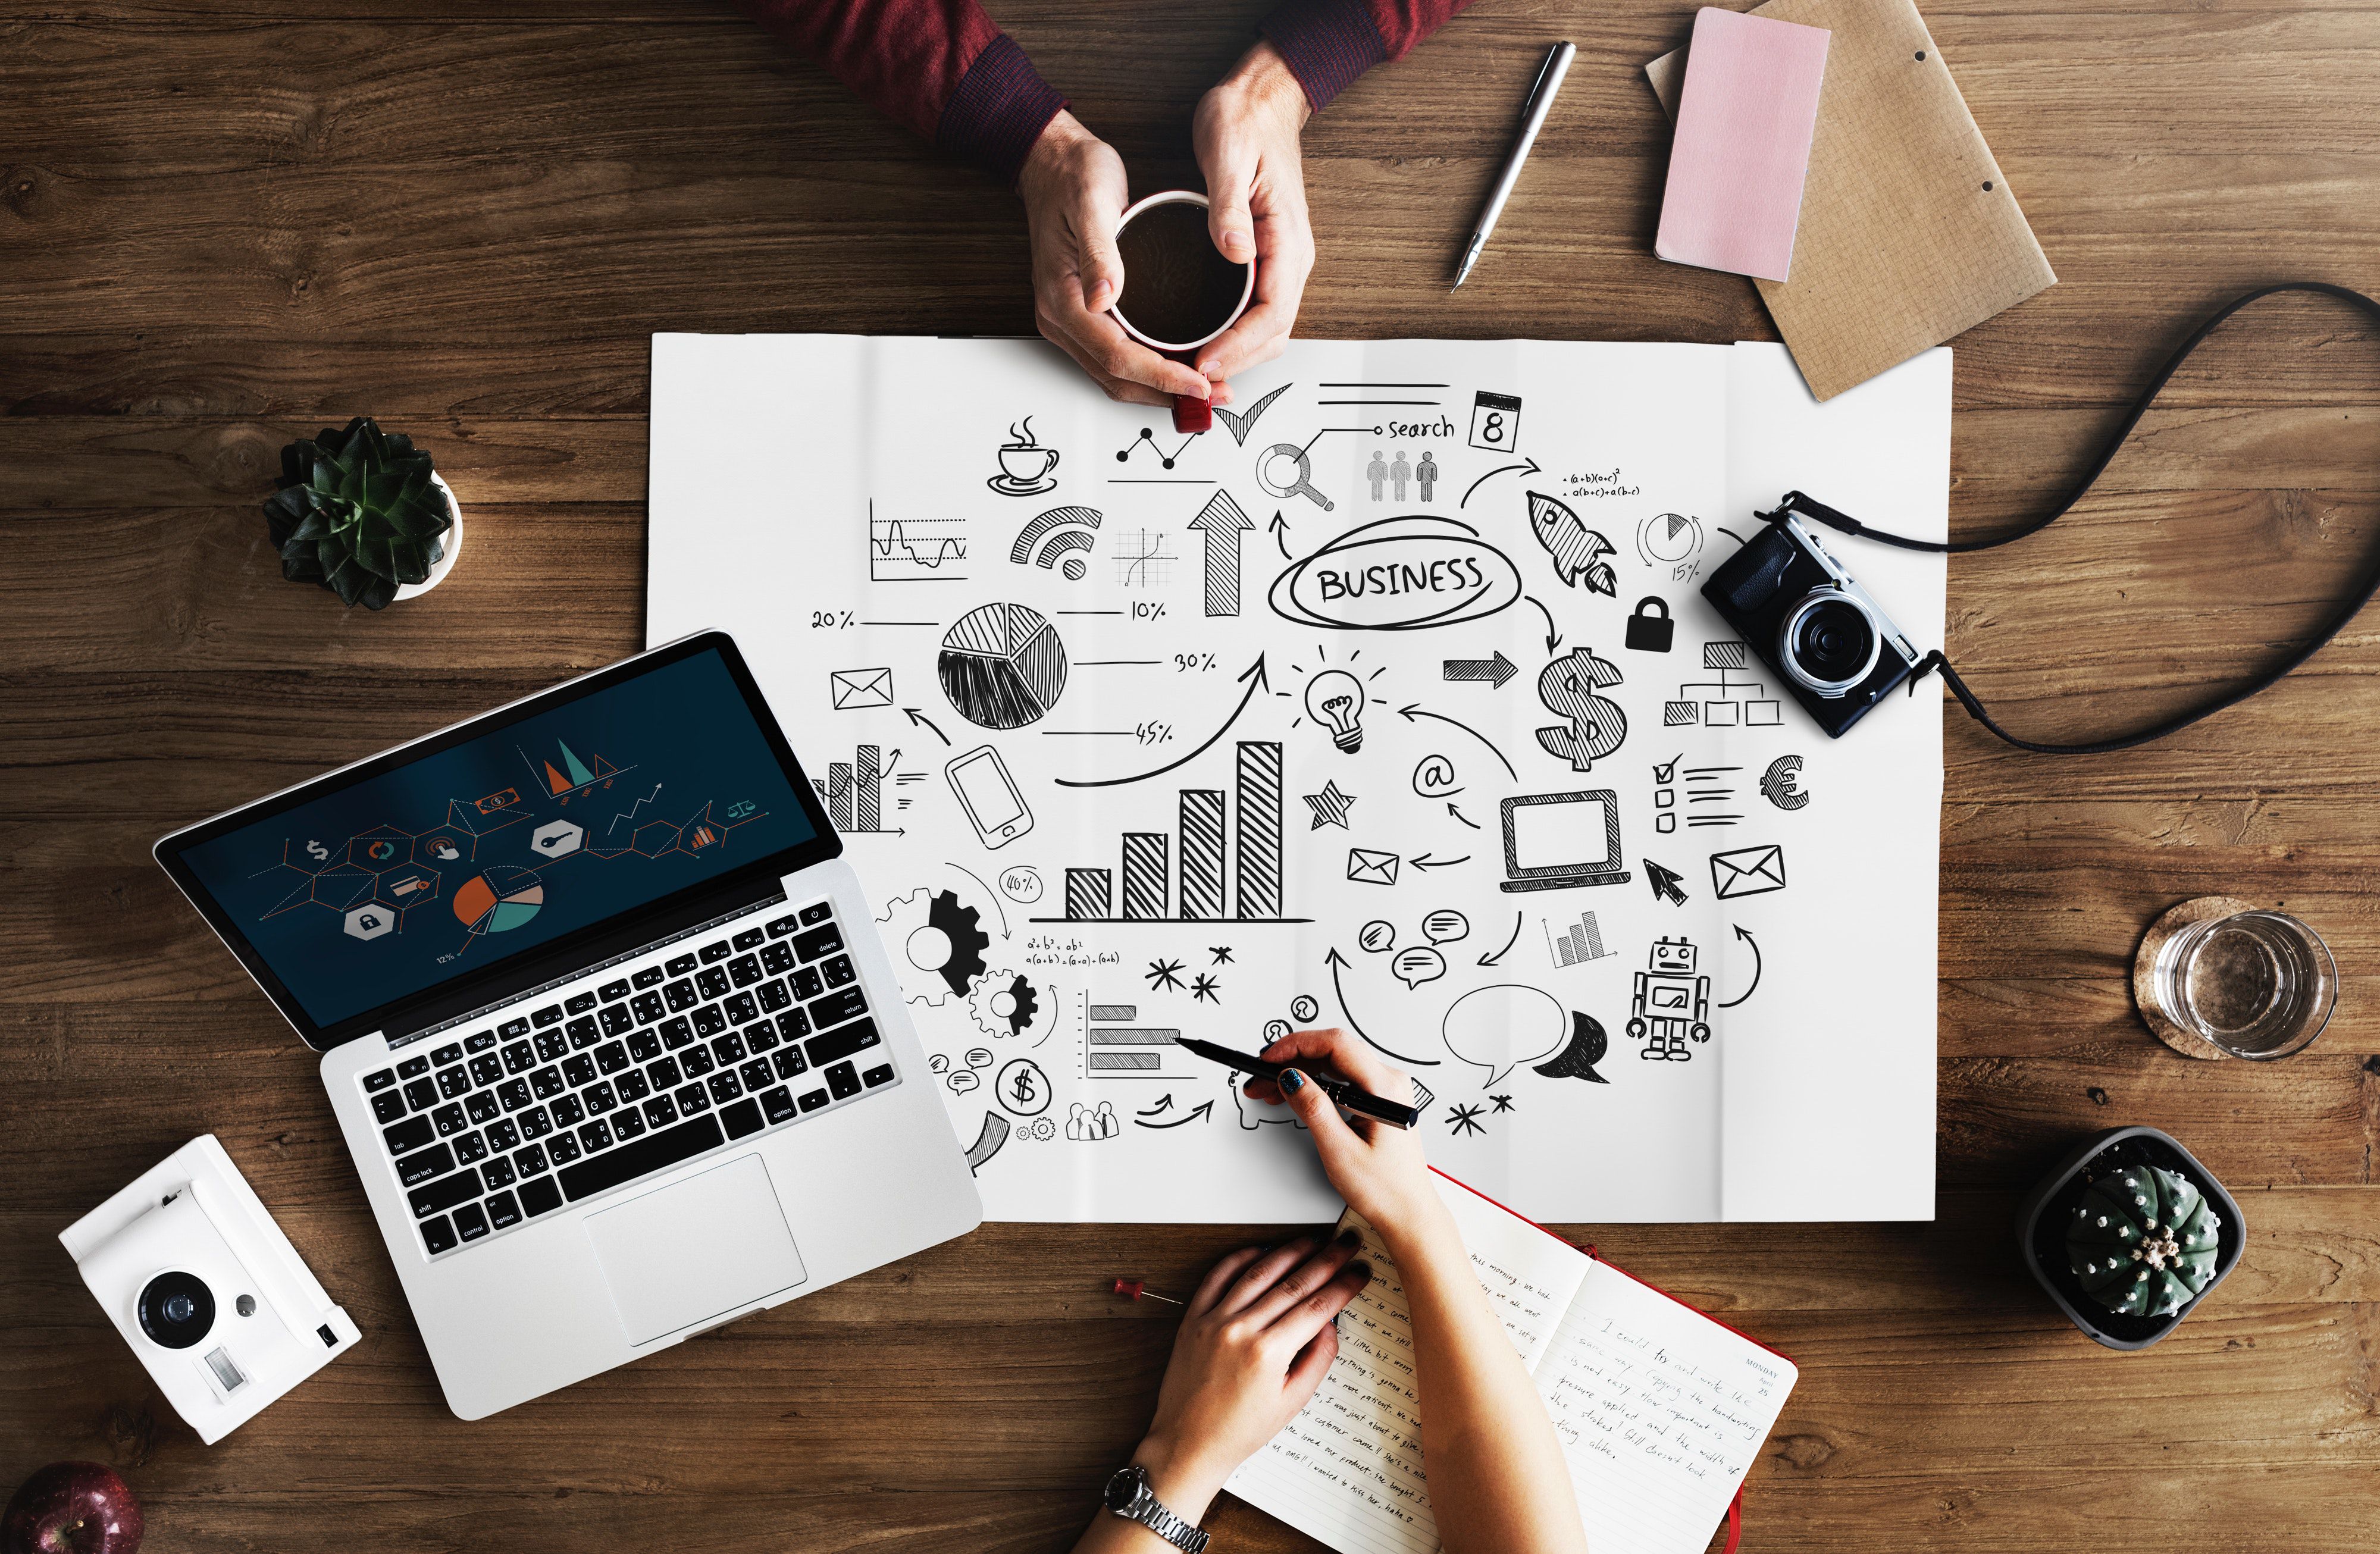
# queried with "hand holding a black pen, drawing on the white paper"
point(1374, 1167)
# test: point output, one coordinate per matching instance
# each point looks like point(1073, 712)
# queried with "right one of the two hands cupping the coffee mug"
point(1246, 132)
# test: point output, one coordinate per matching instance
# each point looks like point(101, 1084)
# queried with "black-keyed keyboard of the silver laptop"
point(706, 1046)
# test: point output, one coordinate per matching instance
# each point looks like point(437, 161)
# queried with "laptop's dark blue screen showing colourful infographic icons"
point(508, 841)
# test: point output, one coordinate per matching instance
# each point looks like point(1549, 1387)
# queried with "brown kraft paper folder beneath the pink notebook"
point(1910, 232)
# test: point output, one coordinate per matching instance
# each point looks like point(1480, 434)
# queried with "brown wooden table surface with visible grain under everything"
point(230, 223)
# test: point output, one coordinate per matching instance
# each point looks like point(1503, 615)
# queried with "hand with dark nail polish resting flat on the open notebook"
point(1253, 1346)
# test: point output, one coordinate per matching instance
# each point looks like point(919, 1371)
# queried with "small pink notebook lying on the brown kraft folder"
point(1736, 165)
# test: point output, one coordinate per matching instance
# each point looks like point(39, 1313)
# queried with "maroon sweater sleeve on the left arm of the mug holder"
point(937, 65)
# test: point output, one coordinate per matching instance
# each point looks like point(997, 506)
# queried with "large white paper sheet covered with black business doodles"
point(1015, 634)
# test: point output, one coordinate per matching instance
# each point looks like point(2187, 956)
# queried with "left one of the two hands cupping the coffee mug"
point(1075, 192)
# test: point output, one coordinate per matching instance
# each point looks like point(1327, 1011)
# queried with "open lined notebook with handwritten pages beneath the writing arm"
point(1660, 1410)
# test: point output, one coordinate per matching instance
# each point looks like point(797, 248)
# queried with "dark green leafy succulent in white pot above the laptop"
point(358, 513)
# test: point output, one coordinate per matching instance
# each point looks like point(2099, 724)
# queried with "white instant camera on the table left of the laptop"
point(206, 1289)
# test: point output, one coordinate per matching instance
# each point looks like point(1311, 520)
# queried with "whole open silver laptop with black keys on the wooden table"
point(603, 1017)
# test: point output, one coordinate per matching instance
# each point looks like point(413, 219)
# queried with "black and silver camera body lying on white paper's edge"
point(1812, 625)
